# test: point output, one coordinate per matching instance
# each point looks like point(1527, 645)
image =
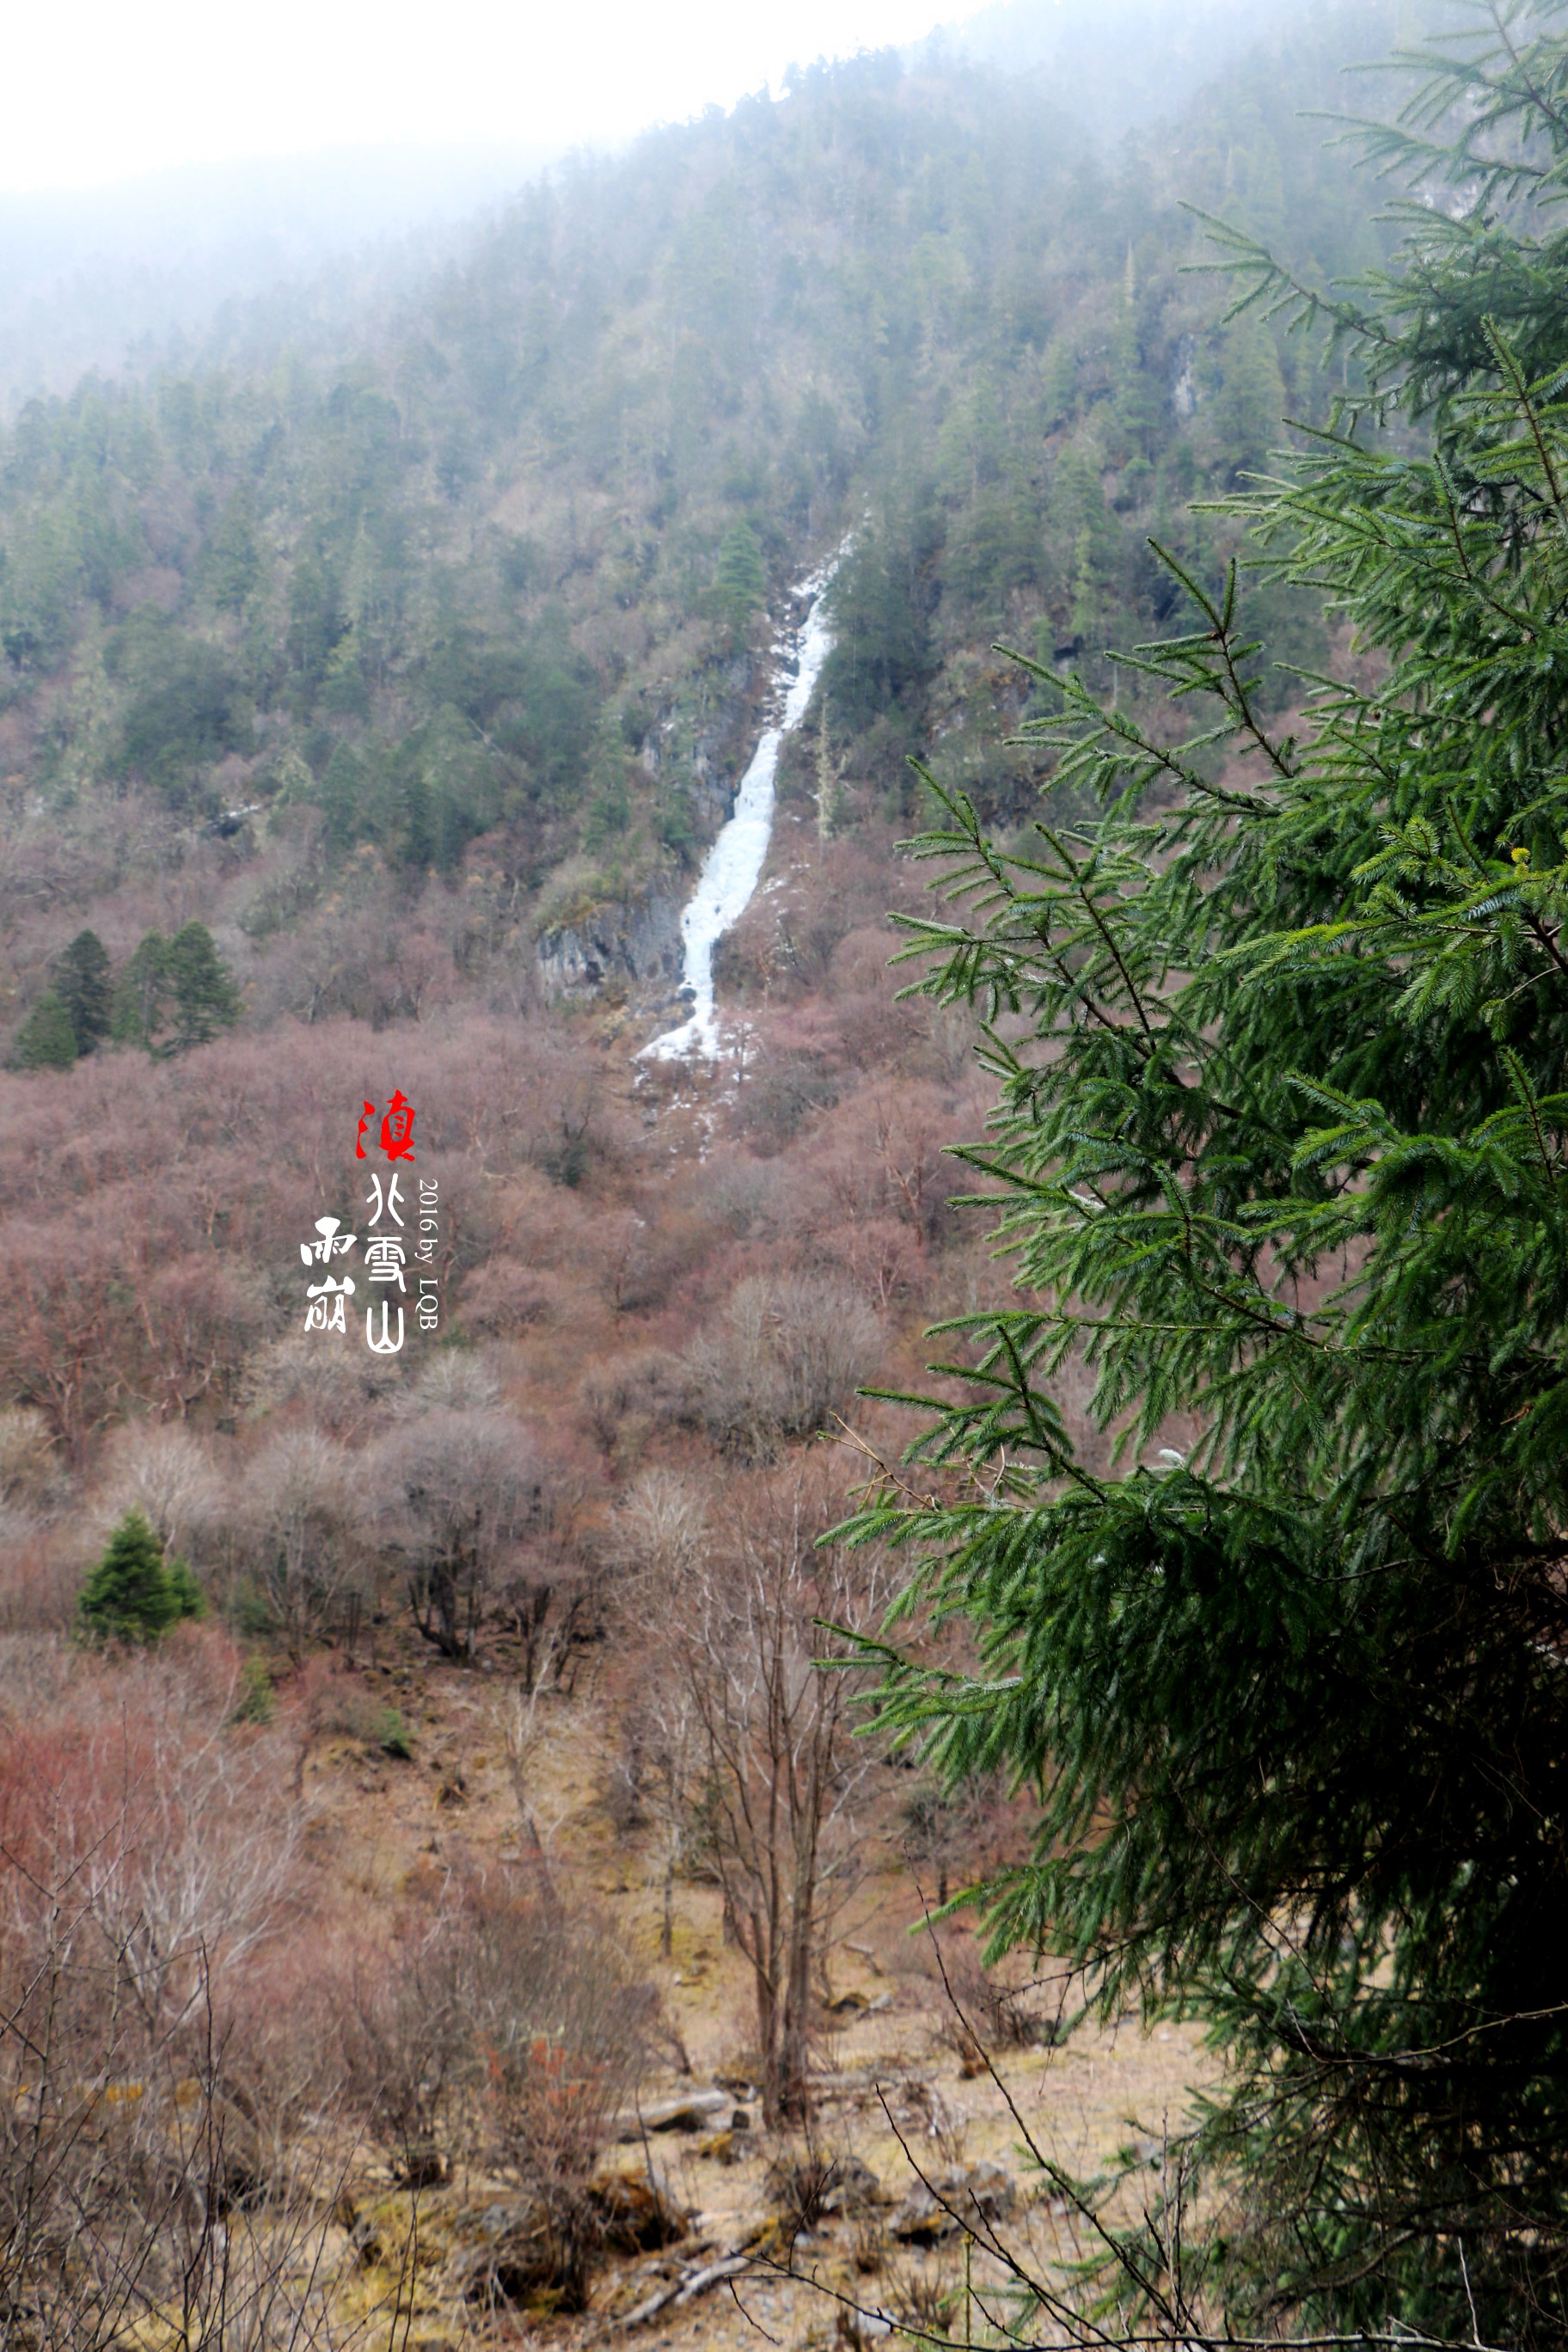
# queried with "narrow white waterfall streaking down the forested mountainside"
point(735, 864)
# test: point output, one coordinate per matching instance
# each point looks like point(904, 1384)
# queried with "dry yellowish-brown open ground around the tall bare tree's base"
point(892, 2085)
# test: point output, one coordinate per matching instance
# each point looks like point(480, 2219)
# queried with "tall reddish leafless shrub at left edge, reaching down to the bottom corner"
point(163, 2146)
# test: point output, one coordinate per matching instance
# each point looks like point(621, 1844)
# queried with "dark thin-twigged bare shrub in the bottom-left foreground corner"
point(140, 2200)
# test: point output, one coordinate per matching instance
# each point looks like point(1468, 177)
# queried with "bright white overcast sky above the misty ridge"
point(105, 91)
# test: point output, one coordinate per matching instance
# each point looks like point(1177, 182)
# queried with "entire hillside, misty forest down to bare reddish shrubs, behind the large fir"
point(443, 1899)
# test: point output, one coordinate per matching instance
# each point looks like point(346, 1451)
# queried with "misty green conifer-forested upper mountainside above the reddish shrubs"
point(490, 587)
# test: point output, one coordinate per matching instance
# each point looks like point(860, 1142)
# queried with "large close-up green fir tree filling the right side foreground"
point(1287, 1156)
